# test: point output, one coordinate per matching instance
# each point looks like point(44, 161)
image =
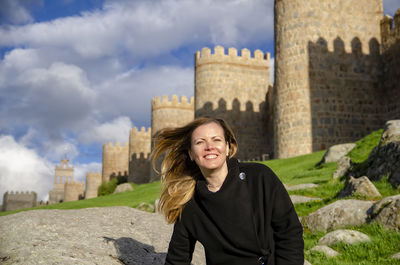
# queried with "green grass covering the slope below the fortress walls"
point(293, 171)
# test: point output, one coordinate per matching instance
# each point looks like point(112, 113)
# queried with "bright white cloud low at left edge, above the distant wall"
point(21, 169)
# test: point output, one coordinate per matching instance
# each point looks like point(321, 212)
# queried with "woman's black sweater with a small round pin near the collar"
point(250, 218)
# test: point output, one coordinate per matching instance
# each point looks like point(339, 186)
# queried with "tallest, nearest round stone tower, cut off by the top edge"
point(326, 73)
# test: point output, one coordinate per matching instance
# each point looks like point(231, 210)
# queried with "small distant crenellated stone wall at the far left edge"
point(18, 200)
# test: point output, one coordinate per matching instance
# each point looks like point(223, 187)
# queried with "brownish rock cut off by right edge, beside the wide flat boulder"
point(388, 214)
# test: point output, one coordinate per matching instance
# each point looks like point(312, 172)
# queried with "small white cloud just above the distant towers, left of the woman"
point(116, 130)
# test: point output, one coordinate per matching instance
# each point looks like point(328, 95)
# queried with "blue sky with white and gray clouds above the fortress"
point(75, 74)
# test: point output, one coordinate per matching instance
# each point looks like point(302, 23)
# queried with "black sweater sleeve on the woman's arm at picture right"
point(288, 232)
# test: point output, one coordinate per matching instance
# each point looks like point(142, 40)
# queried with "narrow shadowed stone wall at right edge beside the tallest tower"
point(390, 29)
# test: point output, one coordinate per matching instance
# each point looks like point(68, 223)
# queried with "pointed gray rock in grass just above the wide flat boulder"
point(360, 186)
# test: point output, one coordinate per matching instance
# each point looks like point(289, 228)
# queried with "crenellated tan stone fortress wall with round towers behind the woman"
point(337, 76)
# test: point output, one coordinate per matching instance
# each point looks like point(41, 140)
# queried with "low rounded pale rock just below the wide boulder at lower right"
point(344, 235)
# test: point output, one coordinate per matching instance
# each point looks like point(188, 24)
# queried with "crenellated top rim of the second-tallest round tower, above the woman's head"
point(259, 58)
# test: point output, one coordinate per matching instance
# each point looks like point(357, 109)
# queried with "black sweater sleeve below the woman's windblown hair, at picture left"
point(181, 246)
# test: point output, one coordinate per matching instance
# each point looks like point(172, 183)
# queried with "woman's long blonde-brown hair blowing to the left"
point(178, 172)
